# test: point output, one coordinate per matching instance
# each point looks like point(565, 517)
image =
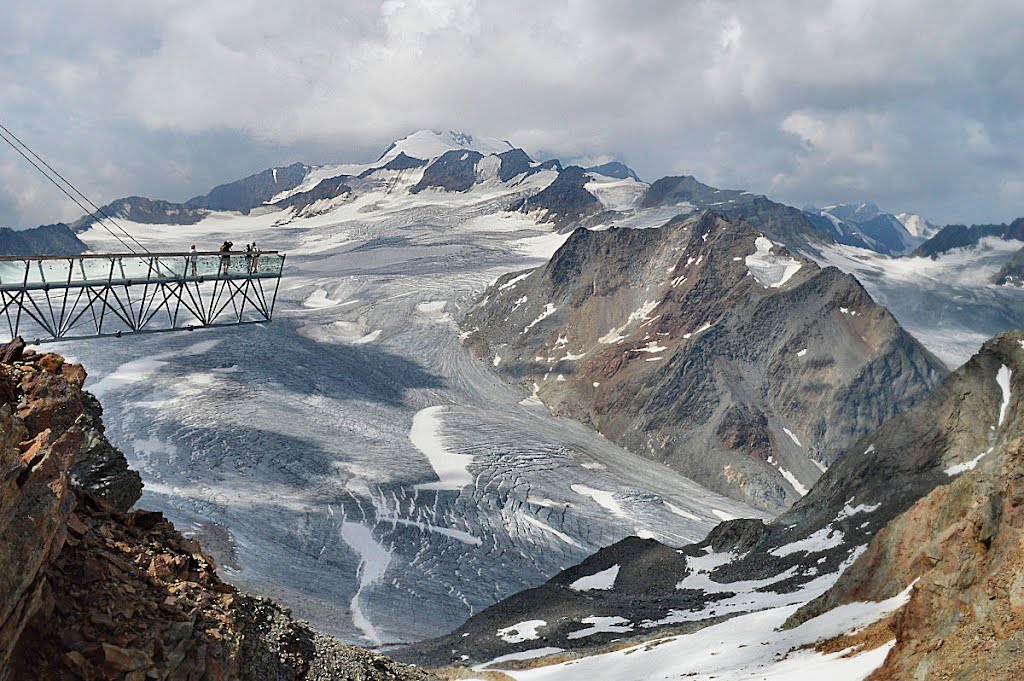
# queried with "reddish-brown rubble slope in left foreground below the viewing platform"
point(92, 591)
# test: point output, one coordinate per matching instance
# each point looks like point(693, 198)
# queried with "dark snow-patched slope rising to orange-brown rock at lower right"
point(935, 487)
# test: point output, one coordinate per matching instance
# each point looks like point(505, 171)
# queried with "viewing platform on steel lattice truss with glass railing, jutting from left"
point(49, 299)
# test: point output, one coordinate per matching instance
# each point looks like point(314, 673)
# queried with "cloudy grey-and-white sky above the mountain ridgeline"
point(917, 105)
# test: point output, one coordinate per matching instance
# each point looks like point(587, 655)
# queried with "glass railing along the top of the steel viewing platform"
point(56, 271)
